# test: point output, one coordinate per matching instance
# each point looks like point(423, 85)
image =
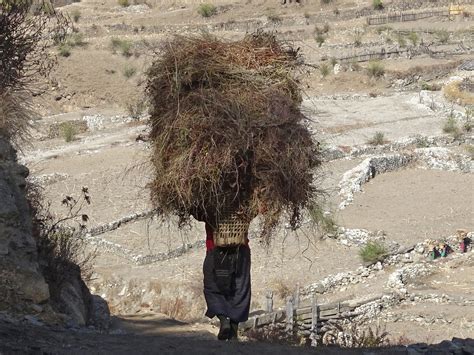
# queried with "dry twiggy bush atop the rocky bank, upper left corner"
point(28, 29)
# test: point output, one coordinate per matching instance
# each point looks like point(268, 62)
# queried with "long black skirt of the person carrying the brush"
point(237, 305)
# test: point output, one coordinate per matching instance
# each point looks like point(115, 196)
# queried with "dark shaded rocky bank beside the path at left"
point(24, 290)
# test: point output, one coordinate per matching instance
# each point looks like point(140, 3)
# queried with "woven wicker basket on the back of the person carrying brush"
point(232, 230)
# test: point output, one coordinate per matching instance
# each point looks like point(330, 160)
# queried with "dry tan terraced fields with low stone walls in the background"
point(398, 148)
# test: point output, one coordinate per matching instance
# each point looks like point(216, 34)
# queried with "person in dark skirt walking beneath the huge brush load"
point(226, 282)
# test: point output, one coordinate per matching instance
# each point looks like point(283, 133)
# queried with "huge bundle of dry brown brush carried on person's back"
point(228, 131)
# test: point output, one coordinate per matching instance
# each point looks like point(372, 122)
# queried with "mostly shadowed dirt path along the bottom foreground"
point(152, 336)
